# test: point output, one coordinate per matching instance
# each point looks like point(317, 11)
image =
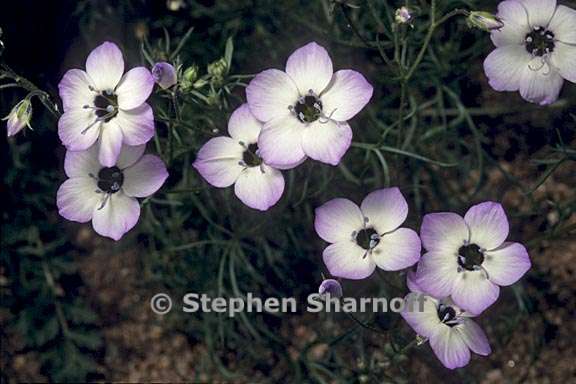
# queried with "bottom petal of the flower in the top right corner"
point(539, 83)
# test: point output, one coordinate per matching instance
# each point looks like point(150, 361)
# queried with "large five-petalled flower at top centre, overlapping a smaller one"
point(305, 109)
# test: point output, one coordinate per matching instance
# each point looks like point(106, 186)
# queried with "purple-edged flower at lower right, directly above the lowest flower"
point(468, 258)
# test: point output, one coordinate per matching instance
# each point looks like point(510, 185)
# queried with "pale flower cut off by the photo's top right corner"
point(535, 50)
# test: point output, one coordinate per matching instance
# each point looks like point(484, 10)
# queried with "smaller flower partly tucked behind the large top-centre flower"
point(224, 161)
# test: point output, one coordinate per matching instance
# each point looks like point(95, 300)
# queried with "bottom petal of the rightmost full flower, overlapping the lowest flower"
point(473, 292)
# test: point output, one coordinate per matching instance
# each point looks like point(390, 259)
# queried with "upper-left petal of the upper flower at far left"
point(74, 89)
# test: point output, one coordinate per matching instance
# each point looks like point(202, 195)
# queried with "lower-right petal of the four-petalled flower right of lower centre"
point(397, 250)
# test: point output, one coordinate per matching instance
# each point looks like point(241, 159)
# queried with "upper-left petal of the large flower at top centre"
point(270, 94)
